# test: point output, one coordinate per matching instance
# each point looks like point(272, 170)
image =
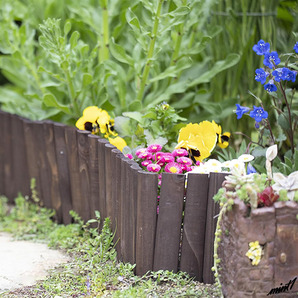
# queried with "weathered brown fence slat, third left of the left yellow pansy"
point(52, 185)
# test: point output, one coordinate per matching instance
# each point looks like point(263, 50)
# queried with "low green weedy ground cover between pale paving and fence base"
point(93, 270)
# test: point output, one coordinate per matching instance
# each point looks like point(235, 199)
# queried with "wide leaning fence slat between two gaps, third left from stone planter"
point(168, 232)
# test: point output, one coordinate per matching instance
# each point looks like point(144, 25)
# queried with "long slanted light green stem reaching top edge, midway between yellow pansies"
point(150, 53)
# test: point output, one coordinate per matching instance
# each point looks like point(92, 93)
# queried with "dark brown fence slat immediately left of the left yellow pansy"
point(74, 172)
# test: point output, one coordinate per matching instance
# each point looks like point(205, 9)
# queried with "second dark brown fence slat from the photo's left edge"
point(20, 168)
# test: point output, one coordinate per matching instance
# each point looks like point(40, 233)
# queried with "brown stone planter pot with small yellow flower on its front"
point(276, 229)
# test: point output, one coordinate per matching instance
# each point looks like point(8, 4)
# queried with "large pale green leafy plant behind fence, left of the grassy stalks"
point(117, 56)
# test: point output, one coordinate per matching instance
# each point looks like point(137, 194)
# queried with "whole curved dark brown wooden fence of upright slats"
point(75, 170)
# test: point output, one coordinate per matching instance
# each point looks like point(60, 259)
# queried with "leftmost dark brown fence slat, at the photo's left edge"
point(8, 158)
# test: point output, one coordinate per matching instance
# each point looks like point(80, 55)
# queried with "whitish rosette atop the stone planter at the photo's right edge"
point(289, 183)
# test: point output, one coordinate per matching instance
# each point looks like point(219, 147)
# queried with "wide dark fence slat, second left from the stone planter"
point(193, 239)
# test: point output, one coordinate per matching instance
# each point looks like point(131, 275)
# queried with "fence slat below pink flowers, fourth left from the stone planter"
point(146, 221)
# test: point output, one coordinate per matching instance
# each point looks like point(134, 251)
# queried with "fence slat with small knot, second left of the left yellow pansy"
point(63, 171)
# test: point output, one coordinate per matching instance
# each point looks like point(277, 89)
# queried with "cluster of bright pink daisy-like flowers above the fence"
point(154, 160)
